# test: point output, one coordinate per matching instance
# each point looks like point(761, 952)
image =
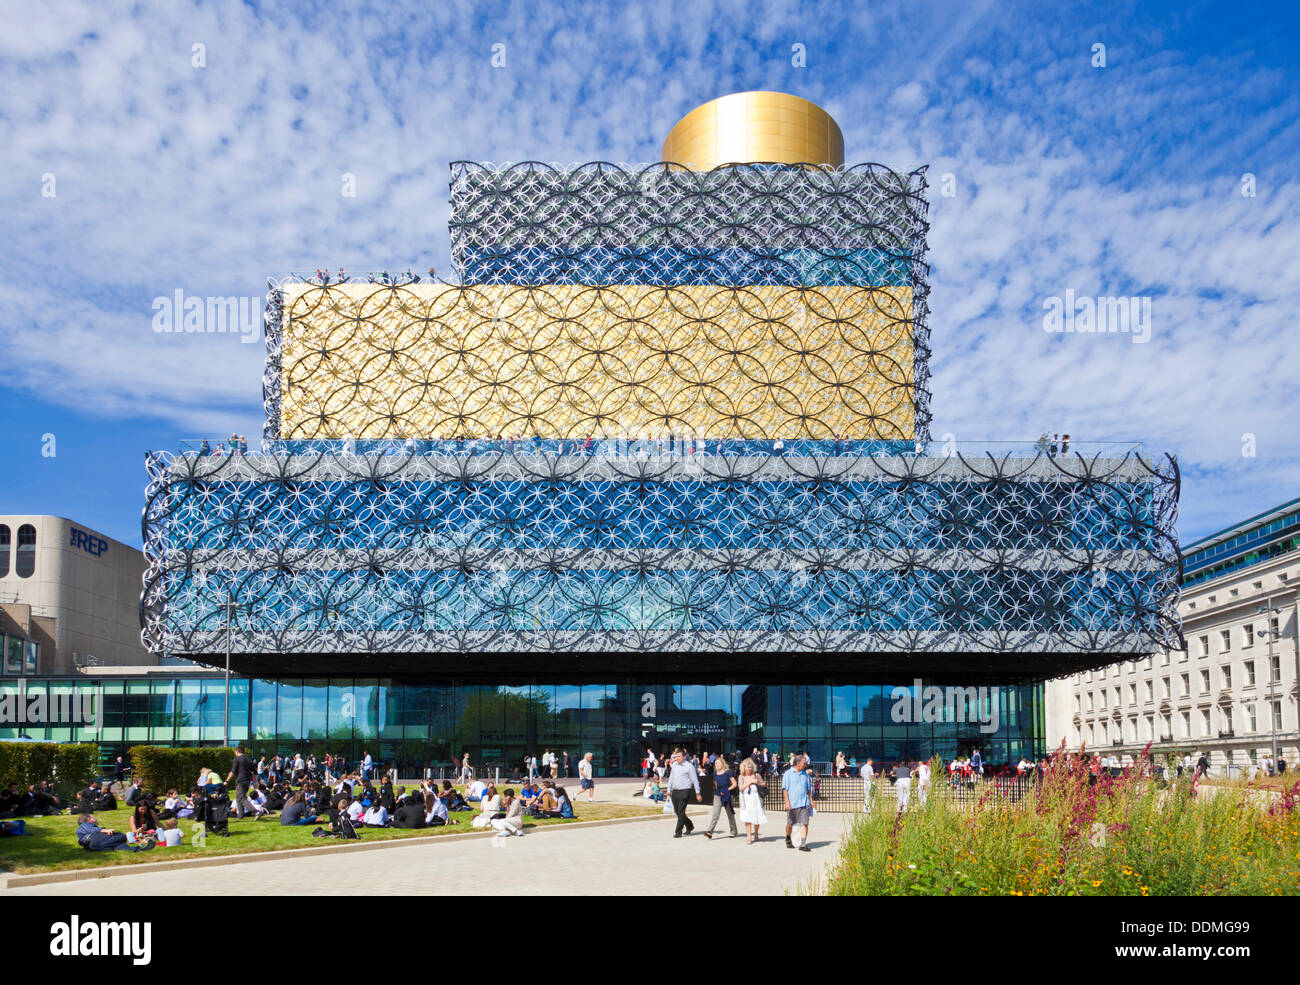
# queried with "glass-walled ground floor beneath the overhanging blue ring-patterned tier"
point(417, 726)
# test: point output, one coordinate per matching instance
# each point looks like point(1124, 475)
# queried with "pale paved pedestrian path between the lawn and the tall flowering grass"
point(631, 858)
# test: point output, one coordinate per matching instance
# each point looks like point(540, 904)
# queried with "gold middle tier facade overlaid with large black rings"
point(565, 362)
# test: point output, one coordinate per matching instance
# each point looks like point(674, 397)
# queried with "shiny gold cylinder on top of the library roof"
point(756, 127)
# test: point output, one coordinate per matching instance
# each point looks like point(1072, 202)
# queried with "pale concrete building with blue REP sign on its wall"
point(70, 598)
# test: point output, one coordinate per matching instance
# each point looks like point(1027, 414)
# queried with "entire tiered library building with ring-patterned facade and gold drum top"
point(655, 470)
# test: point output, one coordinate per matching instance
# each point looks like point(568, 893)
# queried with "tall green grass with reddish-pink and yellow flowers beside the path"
point(1124, 836)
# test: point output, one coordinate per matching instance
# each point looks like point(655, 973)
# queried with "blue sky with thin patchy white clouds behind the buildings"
point(1124, 180)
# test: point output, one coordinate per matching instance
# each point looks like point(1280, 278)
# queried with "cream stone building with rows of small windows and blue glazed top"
point(1236, 689)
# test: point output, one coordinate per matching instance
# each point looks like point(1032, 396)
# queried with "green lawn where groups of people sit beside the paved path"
point(51, 845)
